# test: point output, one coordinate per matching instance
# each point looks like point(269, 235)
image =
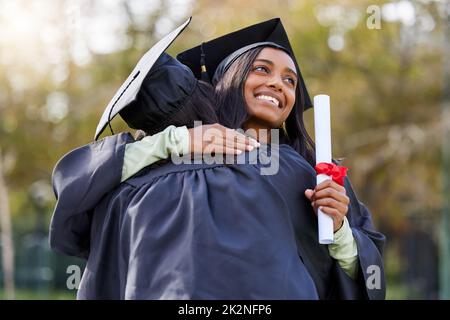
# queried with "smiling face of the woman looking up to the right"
point(269, 90)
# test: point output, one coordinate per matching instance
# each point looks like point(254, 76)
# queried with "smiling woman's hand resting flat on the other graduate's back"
point(215, 138)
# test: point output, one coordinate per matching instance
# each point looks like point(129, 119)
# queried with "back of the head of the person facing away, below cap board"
point(170, 95)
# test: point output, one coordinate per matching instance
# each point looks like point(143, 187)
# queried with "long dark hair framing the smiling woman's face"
point(233, 112)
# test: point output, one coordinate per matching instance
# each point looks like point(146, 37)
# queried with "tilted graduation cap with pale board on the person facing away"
point(147, 98)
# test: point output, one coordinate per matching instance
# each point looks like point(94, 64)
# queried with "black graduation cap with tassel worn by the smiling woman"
point(211, 59)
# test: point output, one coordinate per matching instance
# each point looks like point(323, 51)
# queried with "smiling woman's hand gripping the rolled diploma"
point(332, 200)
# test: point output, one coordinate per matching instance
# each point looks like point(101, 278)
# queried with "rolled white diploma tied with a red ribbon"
point(322, 129)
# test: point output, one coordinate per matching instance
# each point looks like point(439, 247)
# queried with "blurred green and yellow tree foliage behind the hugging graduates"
point(385, 65)
